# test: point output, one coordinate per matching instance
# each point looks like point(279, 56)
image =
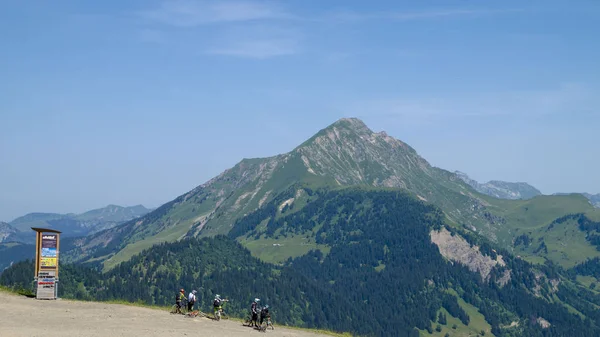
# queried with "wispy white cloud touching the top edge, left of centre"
point(189, 13)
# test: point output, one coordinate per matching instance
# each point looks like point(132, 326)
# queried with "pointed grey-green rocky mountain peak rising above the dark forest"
point(346, 153)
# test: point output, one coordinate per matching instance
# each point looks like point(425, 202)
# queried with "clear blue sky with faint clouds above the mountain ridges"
point(131, 102)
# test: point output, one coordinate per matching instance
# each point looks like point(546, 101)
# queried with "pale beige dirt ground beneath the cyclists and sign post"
point(22, 316)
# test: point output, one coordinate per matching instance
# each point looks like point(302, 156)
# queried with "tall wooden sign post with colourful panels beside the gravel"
point(47, 245)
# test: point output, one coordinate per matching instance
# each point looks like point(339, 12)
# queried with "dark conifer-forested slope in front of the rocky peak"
point(393, 268)
